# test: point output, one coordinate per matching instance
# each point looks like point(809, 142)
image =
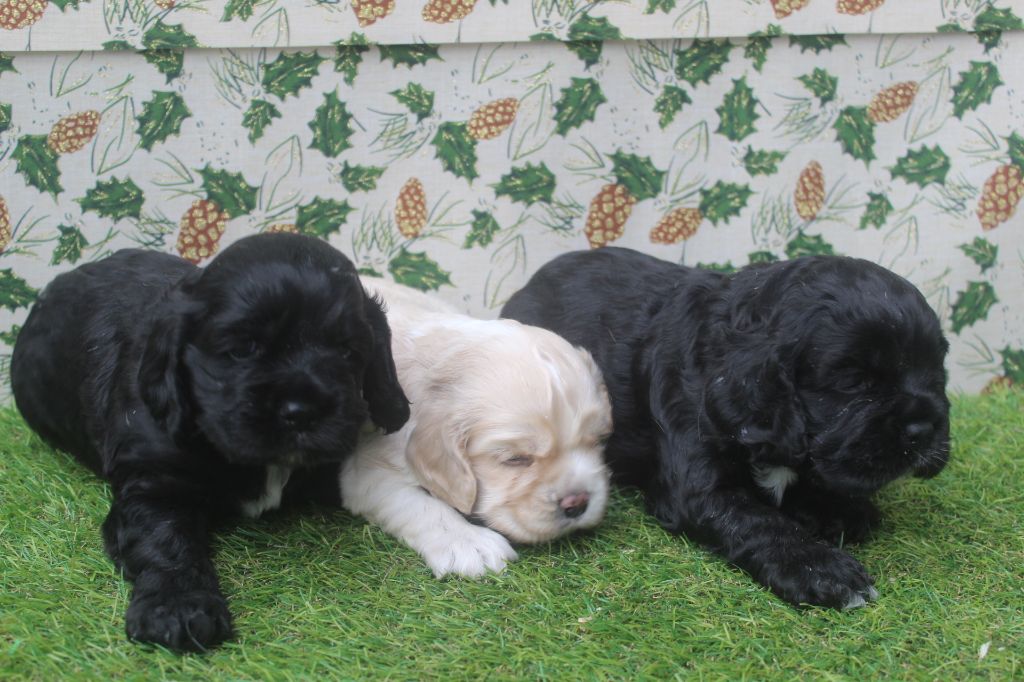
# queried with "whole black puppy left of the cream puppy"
point(200, 394)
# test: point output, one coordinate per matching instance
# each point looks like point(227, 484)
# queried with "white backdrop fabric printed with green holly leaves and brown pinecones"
point(462, 165)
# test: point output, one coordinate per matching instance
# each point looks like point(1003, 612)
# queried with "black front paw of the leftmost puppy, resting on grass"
point(193, 621)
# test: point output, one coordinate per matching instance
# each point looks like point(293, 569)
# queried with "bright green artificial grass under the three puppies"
point(325, 595)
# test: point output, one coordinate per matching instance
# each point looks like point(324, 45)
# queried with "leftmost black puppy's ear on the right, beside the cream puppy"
point(389, 405)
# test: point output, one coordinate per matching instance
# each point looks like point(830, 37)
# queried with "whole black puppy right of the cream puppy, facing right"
point(759, 411)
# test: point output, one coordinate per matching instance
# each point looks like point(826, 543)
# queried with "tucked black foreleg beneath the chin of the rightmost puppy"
point(833, 518)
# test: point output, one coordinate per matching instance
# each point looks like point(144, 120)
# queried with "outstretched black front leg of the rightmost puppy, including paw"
point(697, 494)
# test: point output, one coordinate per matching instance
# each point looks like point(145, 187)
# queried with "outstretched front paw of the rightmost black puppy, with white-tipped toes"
point(820, 576)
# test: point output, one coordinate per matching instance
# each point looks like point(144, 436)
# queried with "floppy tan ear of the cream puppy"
point(437, 454)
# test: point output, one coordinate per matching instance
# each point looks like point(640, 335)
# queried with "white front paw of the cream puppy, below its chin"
point(470, 551)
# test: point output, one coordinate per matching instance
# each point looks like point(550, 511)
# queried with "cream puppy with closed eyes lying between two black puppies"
point(508, 427)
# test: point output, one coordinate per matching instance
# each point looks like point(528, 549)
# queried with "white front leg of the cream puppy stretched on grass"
point(391, 497)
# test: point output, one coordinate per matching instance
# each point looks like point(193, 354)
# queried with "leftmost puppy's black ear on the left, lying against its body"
point(161, 377)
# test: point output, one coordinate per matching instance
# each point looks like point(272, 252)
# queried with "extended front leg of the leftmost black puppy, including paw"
point(162, 545)
